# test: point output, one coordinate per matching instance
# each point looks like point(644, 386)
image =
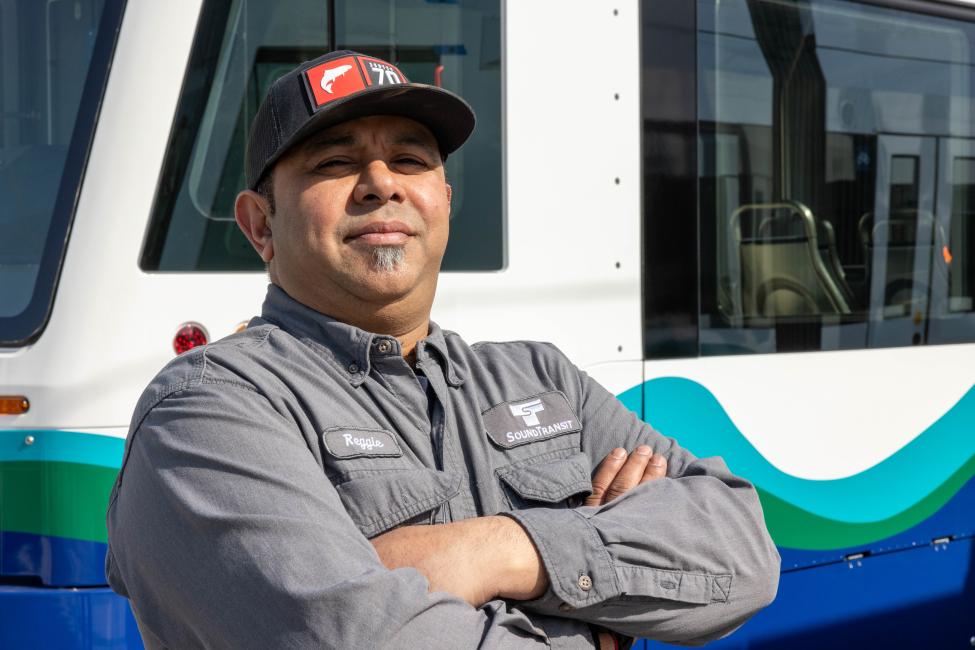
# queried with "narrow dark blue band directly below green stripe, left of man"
point(57, 561)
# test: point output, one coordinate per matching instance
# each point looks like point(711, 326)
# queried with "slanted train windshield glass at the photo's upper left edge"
point(53, 61)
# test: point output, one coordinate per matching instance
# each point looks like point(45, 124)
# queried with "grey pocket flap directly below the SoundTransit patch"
point(551, 480)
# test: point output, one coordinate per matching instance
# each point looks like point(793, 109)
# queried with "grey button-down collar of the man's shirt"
point(346, 346)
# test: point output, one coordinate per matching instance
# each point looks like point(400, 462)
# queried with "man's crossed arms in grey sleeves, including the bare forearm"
point(224, 532)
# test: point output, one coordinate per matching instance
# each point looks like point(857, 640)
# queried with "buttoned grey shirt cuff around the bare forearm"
point(580, 570)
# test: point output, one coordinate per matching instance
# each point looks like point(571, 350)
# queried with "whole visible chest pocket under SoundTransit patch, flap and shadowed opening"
point(557, 479)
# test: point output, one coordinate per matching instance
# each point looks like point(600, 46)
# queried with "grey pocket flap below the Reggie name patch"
point(381, 501)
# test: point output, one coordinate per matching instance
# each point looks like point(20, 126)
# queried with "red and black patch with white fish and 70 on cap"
point(346, 76)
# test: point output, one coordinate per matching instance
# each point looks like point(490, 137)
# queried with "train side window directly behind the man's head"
point(242, 46)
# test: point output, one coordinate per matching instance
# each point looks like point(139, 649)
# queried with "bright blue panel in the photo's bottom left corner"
point(66, 619)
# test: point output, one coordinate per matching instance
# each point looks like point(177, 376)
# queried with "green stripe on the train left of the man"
point(55, 498)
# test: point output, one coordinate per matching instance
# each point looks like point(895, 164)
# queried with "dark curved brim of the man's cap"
point(449, 118)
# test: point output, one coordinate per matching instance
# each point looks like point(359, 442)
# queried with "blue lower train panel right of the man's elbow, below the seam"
point(918, 598)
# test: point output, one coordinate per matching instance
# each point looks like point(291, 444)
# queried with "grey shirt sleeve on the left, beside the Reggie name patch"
point(225, 533)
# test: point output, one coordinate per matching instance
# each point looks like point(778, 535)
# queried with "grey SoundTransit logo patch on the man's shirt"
point(532, 419)
